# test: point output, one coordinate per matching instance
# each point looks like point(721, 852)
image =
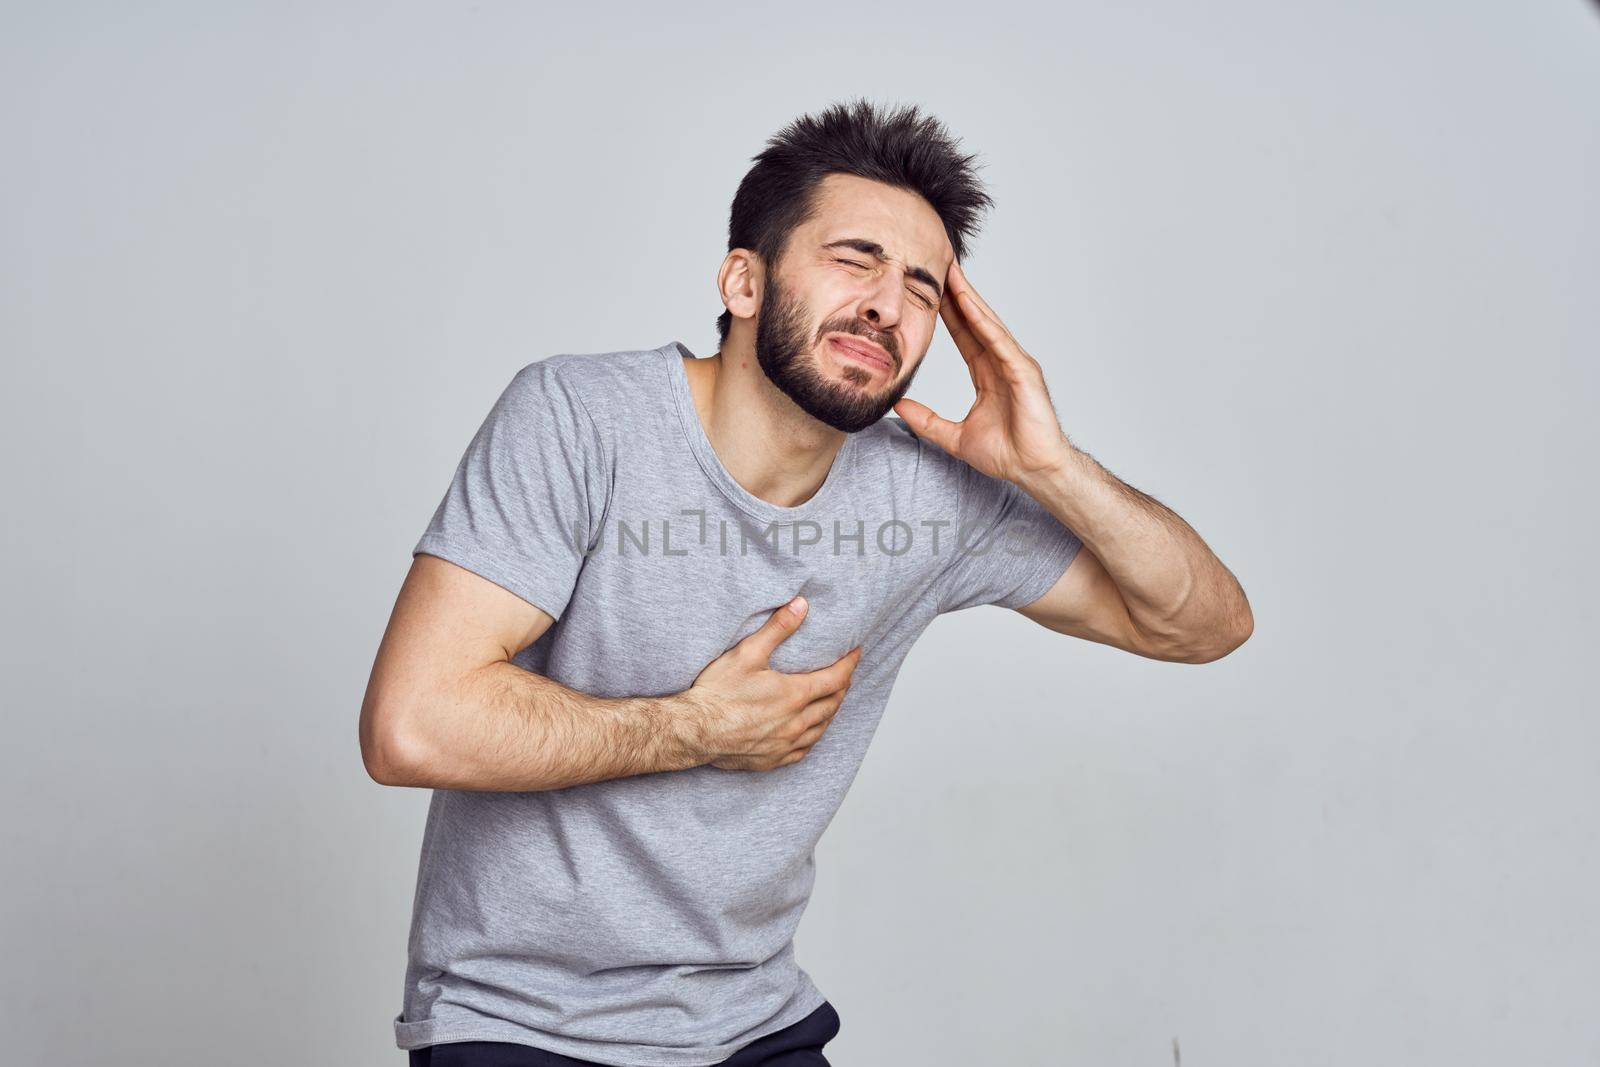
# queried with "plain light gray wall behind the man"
point(1319, 278)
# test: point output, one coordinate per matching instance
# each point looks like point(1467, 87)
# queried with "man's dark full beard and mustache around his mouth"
point(786, 351)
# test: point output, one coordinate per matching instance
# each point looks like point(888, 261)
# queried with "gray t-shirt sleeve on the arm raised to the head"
point(1007, 549)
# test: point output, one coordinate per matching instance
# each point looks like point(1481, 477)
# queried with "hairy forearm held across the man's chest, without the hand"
point(506, 729)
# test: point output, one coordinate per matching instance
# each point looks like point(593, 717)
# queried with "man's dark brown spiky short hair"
point(900, 148)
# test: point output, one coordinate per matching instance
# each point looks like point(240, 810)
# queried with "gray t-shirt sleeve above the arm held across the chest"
point(526, 505)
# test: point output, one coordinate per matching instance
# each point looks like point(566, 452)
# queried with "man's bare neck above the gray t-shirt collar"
point(770, 447)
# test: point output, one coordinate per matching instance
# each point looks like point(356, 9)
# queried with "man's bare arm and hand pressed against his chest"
point(447, 709)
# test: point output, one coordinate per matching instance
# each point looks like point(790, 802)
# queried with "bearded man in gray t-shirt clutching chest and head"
point(649, 634)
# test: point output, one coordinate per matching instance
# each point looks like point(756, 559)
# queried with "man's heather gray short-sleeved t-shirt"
point(650, 921)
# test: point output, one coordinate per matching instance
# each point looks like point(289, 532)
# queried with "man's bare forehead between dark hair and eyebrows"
point(906, 225)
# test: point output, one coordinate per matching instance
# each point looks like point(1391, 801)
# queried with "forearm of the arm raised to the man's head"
point(1177, 591)
